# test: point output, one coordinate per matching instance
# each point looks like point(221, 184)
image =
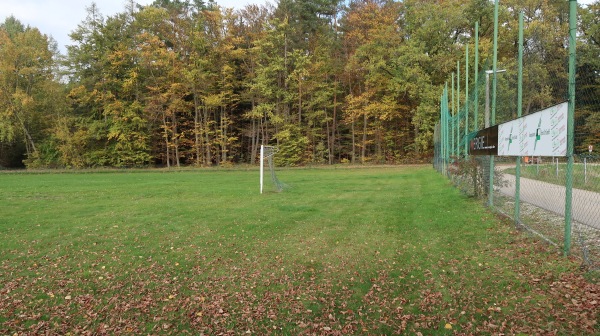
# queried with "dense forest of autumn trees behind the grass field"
point(186, 82)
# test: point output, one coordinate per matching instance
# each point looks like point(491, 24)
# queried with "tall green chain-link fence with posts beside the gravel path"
point(530, 190)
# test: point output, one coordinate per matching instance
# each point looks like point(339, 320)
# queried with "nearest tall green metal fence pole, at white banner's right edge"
point(570, 123)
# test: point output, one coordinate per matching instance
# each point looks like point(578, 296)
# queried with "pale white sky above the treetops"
point(59, 18)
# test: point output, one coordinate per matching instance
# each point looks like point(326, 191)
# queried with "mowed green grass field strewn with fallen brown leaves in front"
point(368, 251)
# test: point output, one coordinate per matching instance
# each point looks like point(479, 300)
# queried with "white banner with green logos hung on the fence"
point(543, 133)
